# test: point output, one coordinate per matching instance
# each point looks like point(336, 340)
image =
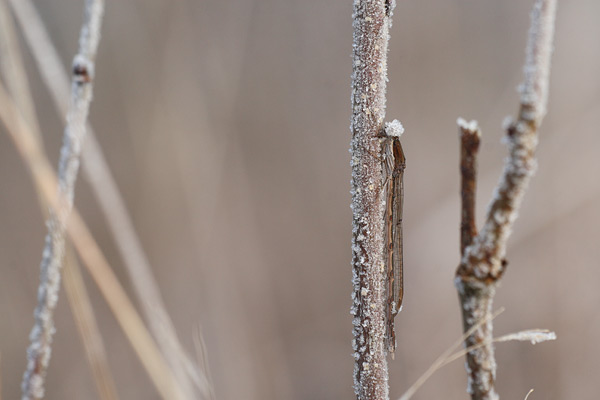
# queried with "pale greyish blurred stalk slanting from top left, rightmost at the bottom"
point(96, 170)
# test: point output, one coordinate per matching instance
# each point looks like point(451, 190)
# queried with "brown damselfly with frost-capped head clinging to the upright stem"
point(394, 163)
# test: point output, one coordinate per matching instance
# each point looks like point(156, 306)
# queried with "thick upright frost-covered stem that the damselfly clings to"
point(371, 22)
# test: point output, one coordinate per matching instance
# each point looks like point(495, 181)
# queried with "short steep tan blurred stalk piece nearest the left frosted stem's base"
point(88, 328)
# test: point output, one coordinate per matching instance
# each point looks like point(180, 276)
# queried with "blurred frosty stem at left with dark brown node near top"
point(38, 353)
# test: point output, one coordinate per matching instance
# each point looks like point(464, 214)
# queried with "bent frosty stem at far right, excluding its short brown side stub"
point(483, 263)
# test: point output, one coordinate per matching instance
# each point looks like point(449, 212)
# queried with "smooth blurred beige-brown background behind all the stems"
point(226, 125)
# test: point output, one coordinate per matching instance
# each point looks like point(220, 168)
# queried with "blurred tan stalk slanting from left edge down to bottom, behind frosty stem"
point(129, 320)
